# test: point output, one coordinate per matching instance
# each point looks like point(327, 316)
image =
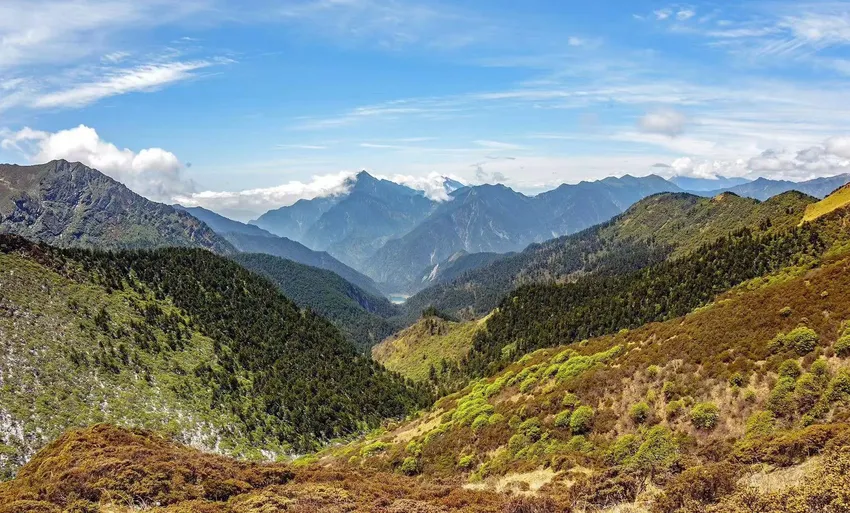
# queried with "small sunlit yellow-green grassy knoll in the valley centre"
point(413, 351)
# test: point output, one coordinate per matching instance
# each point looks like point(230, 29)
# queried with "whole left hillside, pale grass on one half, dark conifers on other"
point(180, 340)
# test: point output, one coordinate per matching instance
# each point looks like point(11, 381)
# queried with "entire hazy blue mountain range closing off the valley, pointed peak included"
point(397, 236)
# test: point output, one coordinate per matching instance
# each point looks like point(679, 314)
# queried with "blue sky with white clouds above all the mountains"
point(246, 106)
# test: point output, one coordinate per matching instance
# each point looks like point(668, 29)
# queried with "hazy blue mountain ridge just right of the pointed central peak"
point(497, 219)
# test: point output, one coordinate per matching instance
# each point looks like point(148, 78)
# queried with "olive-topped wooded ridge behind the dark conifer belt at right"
point(650, 231)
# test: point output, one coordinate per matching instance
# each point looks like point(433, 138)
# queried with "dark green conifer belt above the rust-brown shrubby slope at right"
point(544, 315)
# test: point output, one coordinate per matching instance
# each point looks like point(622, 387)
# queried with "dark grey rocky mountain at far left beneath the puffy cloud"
point(69, 204)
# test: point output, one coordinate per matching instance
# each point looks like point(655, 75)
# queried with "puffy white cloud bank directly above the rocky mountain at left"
point(152, 172)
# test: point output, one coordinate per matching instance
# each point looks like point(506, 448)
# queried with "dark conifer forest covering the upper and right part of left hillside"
point(286, 375)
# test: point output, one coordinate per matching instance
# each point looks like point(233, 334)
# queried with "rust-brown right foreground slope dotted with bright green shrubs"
point(510, 423)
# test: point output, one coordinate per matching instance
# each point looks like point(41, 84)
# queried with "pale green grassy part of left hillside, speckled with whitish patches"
point(60, 369)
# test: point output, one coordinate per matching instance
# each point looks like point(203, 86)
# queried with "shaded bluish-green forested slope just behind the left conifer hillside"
point(362, 316)
